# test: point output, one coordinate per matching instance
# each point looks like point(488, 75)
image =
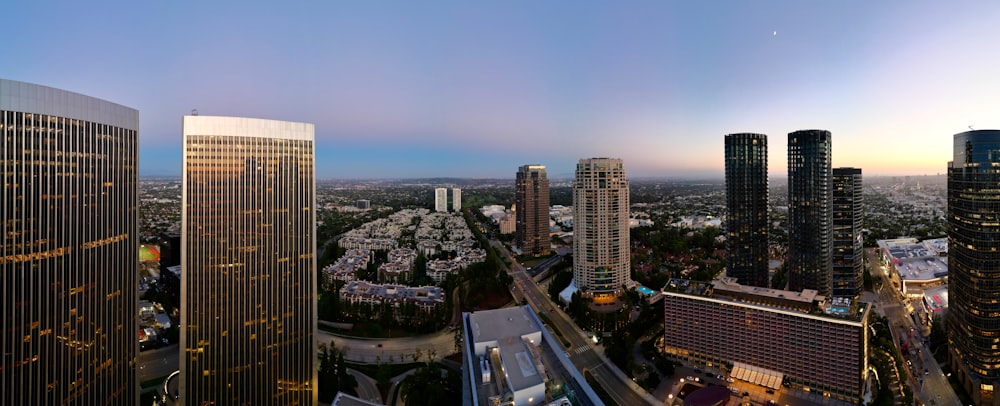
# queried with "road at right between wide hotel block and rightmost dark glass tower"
point(932, 388)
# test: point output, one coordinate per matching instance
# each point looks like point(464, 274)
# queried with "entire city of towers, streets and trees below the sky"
point(250, 281)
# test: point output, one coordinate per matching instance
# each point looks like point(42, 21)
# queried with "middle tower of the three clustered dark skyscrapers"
point(810, 240)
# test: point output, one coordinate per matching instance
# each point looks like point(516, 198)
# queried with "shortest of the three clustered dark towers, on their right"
point(847, 215)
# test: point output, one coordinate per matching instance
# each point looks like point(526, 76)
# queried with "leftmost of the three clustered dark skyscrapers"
point(746, 202)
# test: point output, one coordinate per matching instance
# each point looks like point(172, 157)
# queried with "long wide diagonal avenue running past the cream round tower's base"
point(582, 352)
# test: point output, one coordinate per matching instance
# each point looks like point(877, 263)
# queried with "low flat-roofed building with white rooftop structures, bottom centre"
point(511, 359)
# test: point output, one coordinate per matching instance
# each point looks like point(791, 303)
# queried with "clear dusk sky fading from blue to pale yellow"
point(404, 89)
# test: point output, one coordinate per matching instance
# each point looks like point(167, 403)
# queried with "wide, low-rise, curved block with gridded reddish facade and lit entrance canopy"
point(801, 338)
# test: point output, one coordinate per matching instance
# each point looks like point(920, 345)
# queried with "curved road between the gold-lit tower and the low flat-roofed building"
point(392, 350)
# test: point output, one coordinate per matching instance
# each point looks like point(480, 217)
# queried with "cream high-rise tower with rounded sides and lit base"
point(601, 244)
